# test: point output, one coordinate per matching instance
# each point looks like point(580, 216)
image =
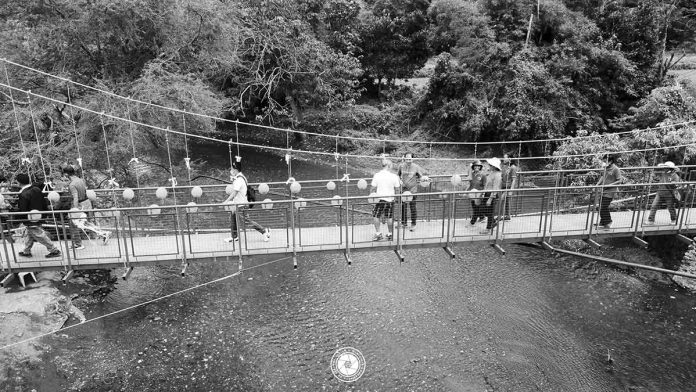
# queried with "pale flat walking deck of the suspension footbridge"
point(127, 250)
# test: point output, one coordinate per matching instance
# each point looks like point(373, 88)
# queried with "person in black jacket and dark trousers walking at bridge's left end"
point(31, 198)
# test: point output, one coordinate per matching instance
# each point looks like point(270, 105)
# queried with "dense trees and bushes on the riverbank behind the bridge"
point(497, 70)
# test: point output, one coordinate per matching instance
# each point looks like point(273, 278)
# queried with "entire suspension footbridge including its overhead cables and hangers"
point(187, 224)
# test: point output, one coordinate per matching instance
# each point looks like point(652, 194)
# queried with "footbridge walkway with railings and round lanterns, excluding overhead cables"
point(175, 231)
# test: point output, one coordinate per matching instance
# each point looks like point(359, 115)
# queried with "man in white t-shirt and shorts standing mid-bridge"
point(384, 186)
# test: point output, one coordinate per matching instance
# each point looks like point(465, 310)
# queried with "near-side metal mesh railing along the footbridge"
point(168, 232)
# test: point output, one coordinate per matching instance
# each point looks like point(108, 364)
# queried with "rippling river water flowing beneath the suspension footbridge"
point(526, 321)
